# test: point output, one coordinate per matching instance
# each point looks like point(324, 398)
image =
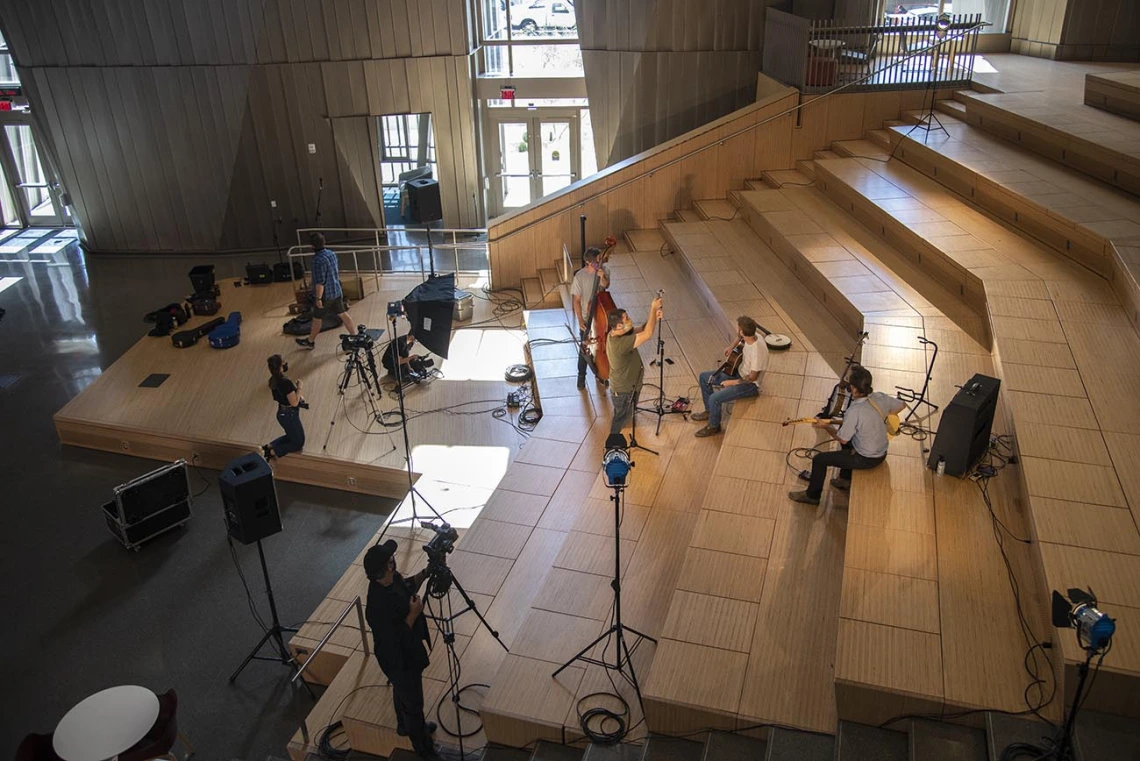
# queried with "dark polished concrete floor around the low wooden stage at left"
point(83, 612)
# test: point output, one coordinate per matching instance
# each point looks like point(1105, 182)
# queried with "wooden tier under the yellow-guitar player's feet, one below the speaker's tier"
point(727, 642)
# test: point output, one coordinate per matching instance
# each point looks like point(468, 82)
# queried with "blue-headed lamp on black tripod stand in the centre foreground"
point(617, 465)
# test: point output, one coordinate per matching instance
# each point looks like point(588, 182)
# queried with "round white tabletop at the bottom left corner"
point(107, 724)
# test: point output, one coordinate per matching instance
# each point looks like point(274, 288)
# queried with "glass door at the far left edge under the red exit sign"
point(29, 184)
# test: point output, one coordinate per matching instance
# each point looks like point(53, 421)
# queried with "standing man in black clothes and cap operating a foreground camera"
point(400, 633)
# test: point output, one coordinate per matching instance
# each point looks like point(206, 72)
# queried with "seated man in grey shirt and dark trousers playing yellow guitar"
point(862, 437)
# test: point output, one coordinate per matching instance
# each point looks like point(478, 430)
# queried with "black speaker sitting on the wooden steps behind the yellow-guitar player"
point(964, 432)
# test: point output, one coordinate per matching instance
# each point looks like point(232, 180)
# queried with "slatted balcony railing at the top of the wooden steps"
point(909, 53)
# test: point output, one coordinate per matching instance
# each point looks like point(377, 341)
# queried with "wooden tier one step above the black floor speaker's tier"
point(1071, 369)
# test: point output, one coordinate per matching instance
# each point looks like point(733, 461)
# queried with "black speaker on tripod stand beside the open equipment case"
point(250, 500)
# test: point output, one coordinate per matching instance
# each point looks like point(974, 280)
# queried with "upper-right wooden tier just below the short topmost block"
point(1100, 144)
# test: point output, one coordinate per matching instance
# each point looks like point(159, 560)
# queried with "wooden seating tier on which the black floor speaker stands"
point(903, 620)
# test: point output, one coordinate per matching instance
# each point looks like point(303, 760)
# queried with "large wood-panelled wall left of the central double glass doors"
point(175, 124)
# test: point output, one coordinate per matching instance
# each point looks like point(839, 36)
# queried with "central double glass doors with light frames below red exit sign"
point(535, 156)
